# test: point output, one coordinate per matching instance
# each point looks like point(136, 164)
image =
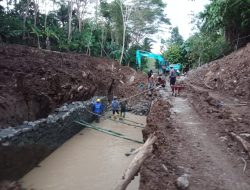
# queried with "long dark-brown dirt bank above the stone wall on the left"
point(34, 82)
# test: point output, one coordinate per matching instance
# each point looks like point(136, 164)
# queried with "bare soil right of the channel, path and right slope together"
point(193, 130)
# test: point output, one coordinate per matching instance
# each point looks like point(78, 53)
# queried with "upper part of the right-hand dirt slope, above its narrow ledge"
point(229, 75)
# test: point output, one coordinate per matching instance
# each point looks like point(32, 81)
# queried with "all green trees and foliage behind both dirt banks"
point(116, 28)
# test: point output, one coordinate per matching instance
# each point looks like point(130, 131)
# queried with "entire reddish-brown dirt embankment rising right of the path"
point(220, 92)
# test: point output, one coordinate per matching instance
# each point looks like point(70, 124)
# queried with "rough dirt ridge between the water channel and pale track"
point(157, 172)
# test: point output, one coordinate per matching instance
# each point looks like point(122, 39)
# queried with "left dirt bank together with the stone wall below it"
point(34, 83)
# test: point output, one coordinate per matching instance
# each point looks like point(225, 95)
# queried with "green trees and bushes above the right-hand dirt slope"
point(223, 26)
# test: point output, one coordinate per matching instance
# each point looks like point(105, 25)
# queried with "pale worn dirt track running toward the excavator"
point(202, 154)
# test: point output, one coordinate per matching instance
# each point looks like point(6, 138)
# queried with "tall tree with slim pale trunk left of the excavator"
point(143, 19)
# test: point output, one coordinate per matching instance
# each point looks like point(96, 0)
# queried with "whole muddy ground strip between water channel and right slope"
point(193, 142)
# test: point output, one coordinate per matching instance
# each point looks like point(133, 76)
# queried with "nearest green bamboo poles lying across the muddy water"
point(110, 132)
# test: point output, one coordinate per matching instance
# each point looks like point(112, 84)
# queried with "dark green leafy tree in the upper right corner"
point(228, 17)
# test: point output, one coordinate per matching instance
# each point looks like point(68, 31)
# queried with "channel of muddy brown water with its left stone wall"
point(60, 154)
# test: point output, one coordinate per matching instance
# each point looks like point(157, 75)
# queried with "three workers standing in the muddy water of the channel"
point(118, 107)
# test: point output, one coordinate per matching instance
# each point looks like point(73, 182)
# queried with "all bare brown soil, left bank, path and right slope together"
point(193, 129)
